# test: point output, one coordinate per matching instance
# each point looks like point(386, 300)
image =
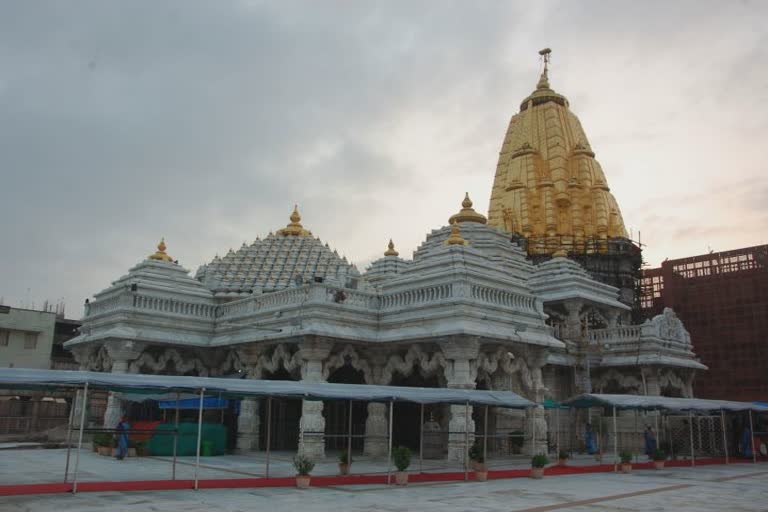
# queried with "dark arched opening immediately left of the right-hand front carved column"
point(407, 416)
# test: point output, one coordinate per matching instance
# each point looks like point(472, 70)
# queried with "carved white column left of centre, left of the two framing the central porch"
point(313, 353)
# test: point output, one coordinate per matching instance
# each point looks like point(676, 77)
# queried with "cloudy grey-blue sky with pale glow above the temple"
point(204, 122)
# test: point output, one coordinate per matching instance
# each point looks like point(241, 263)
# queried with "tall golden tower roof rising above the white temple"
point(548, 186)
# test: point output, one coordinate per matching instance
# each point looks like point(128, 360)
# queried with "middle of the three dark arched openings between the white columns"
point(336, 413)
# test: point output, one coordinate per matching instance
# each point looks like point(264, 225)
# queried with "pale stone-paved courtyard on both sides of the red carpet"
point(737, 487)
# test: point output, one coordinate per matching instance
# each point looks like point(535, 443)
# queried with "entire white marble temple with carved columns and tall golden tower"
point(539, 297)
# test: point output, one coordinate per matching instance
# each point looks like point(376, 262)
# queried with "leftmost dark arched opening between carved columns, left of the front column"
point(286, 413)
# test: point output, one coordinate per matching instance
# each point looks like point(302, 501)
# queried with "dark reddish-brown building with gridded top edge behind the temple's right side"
point(723, 300)
